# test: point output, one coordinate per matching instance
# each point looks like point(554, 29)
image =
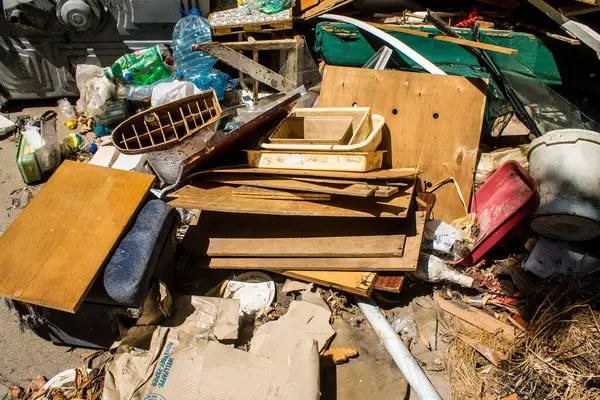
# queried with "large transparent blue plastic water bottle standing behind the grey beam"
point(194, 66)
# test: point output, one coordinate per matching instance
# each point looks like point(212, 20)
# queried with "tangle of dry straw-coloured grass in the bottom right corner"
point(557, 358)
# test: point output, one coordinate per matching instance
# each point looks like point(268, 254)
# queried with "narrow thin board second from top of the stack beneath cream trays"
point(273, 182)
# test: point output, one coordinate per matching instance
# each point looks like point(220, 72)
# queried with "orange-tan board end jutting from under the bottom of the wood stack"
point(360, 283)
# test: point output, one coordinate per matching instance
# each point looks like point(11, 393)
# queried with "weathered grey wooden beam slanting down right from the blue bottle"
point(246, 65)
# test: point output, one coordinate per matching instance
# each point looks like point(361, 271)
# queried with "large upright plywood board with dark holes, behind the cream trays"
point(433, 122)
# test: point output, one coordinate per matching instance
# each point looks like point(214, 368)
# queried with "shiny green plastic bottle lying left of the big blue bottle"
point(142, 67)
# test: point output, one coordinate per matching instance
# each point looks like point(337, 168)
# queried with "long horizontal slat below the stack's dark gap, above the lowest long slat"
point(329, 246)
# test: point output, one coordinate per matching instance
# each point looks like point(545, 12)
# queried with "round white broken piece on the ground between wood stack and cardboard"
point(255, 291)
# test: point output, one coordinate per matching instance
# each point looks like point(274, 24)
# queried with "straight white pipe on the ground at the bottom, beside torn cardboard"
point(409, 367)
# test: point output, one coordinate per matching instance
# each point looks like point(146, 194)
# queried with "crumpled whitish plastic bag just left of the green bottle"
point(94, 90)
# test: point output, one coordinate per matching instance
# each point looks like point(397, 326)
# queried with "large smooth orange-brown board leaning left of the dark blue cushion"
point(52, 252)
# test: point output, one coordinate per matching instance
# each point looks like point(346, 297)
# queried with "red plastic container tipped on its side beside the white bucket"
point(505, 199)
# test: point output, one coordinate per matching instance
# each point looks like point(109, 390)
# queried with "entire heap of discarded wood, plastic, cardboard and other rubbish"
point(394, 187)
